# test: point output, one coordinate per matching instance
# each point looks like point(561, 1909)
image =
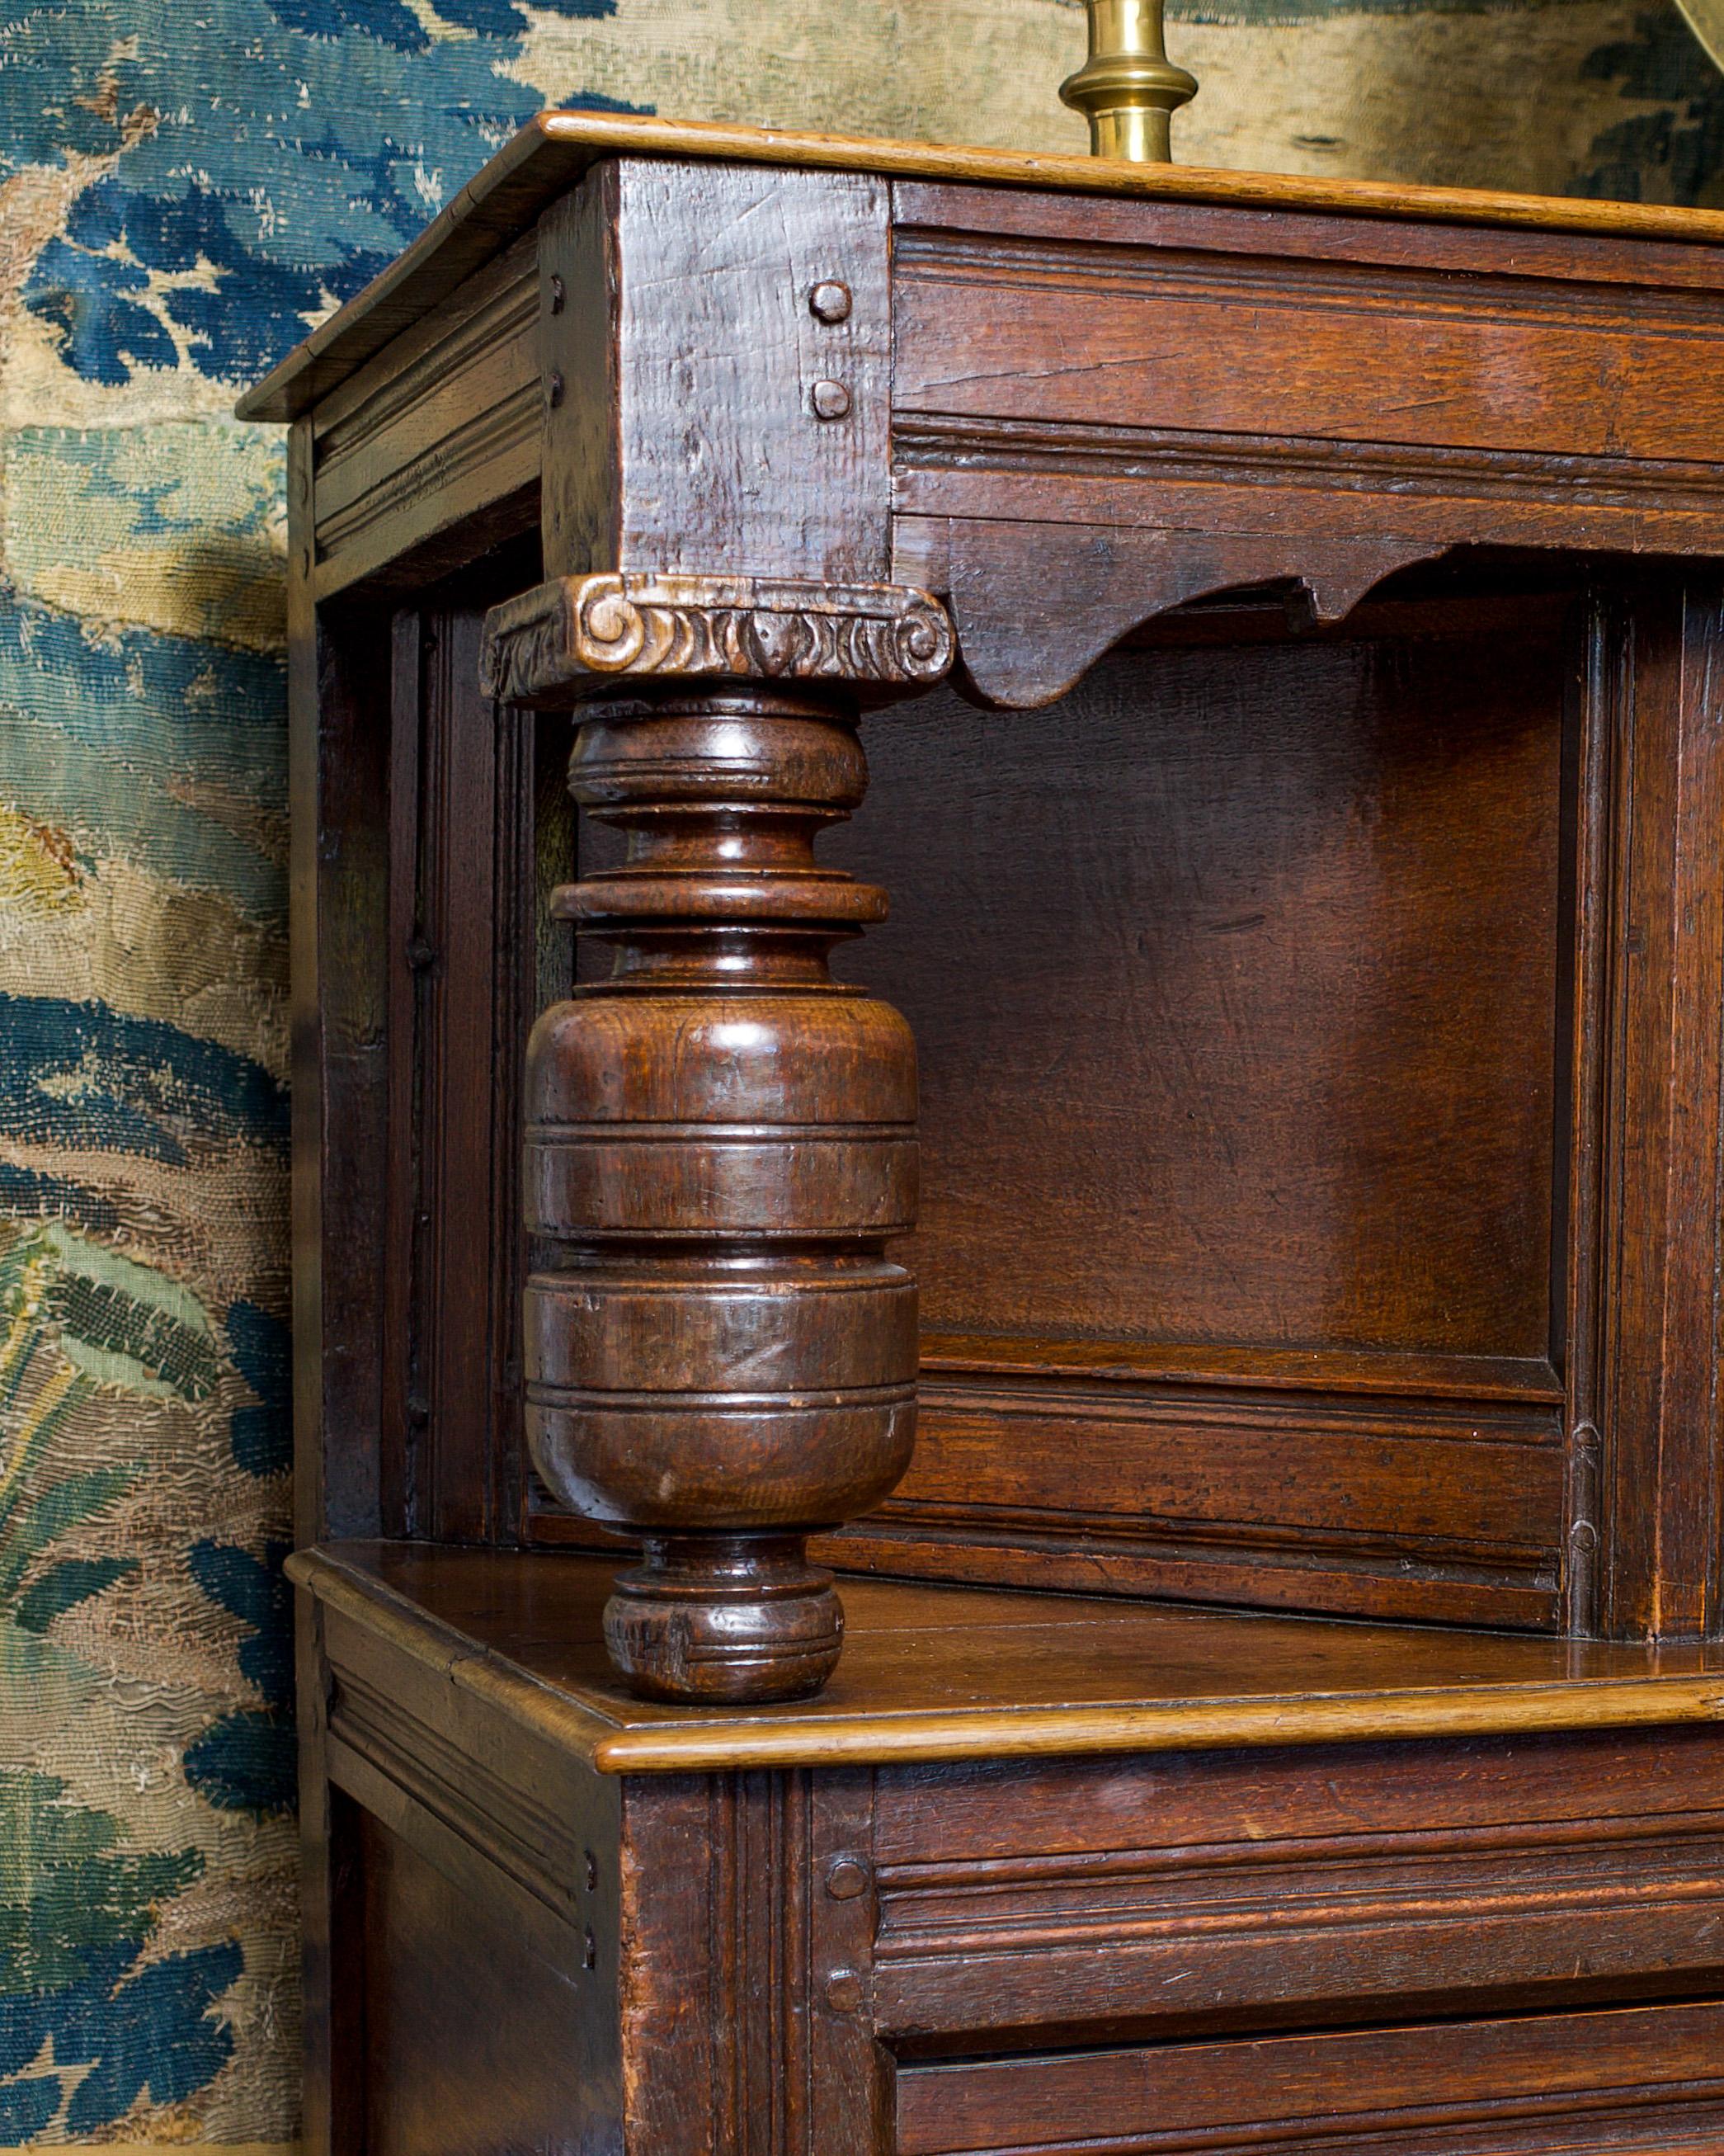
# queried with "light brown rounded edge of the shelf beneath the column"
point(673, 1741)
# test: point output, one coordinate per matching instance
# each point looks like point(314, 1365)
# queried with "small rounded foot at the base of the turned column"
point(736, 1618)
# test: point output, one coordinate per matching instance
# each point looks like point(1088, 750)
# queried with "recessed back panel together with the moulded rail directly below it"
point(1238, 993)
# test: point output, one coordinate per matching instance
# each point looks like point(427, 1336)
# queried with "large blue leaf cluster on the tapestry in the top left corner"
point(245, 199)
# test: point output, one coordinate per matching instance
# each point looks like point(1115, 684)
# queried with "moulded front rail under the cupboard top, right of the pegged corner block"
point(1154, 335)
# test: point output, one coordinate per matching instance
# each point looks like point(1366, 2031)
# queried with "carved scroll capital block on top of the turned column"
point(559, 637)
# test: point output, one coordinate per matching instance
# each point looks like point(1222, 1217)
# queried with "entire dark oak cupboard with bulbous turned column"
point(1007, 889)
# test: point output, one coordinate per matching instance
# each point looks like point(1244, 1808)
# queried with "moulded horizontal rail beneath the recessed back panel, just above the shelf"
point(1204, 1502)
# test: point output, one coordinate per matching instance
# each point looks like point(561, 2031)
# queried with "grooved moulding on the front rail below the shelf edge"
point(1180, 1933)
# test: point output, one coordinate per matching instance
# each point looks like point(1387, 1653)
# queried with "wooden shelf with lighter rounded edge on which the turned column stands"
point(962, 1674)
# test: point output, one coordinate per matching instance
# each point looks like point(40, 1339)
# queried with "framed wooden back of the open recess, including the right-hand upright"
point(1320, 1198)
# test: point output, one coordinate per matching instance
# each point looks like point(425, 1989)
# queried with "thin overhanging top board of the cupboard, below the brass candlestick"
point(555, 150)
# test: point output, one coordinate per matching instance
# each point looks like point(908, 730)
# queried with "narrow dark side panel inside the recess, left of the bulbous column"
point(473, 799)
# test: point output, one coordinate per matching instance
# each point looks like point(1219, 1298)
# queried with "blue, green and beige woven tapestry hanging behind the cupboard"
point(186, 186)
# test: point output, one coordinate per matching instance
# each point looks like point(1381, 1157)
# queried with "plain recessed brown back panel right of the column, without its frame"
point(1234, 982)
